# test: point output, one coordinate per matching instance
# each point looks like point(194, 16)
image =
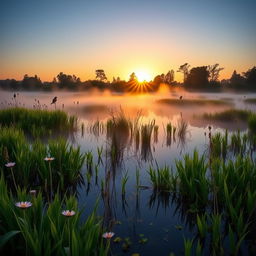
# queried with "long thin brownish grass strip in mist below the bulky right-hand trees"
point(193, 102)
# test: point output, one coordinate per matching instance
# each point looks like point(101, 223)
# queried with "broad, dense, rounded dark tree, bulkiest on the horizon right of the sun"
point(198, 77)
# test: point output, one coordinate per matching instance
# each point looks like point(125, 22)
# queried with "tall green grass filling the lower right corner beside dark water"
point(226, 190)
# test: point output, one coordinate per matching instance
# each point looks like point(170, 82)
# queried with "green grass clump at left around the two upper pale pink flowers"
point(31, 169)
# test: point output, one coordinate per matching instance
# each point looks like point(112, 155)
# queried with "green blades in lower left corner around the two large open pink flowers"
point(42, 229)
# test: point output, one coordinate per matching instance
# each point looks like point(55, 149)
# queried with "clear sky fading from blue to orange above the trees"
point(121, 37)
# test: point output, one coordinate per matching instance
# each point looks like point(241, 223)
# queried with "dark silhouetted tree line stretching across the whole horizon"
point(202, 77)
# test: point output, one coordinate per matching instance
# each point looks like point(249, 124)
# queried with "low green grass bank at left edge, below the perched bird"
point(37, 122)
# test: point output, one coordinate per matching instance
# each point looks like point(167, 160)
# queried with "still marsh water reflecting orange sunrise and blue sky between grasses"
point(162, 220)
